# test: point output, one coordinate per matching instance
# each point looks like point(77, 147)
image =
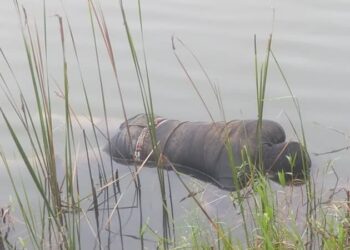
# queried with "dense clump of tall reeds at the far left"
point(62, 225)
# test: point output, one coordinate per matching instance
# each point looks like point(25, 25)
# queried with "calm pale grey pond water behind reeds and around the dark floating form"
point(311, 41)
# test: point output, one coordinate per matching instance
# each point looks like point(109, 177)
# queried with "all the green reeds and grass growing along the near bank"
point(61, 209)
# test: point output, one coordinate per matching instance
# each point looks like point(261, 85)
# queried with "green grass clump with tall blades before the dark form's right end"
point(267, 206)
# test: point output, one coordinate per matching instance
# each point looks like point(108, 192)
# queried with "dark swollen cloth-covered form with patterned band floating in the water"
point(198, 149)
